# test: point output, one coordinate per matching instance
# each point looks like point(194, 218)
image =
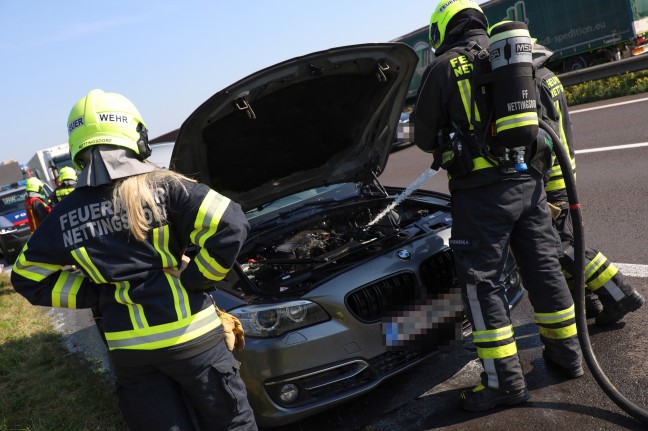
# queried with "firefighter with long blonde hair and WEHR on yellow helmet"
point(127, 226)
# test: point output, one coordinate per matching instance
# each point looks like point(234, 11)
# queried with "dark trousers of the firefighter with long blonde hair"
point(200, 393)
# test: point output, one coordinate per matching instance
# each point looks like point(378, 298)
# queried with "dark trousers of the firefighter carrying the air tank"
point(488, 223)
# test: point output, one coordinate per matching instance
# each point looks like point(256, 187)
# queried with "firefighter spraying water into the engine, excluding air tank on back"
point(494, 210)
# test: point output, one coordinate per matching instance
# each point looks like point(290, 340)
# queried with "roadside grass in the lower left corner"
point(42, 386)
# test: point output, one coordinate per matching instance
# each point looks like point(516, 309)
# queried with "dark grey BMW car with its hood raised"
point(343, 282)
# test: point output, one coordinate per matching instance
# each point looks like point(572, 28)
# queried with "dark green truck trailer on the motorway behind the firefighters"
point(581, 33)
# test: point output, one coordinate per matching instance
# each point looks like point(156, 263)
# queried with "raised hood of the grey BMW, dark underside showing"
point(320, 119)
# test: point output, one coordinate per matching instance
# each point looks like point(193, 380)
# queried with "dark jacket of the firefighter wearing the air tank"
point(443, 106)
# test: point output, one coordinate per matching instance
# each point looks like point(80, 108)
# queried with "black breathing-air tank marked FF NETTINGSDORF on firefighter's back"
point(504, 93)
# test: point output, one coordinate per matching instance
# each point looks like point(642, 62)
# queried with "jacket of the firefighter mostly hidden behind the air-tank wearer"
point(553, 109)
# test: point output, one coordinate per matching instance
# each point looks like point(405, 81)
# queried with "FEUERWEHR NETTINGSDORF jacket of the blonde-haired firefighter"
point(144, 309)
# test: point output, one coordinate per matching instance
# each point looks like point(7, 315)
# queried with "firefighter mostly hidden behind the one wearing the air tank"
point(603, 279)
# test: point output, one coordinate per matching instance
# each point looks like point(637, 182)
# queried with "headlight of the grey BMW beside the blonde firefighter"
point(273, 320)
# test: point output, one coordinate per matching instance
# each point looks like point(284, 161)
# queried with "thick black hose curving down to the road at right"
point(579, 280)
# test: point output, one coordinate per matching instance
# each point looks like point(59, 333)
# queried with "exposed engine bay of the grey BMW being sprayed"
point(303, 253)
